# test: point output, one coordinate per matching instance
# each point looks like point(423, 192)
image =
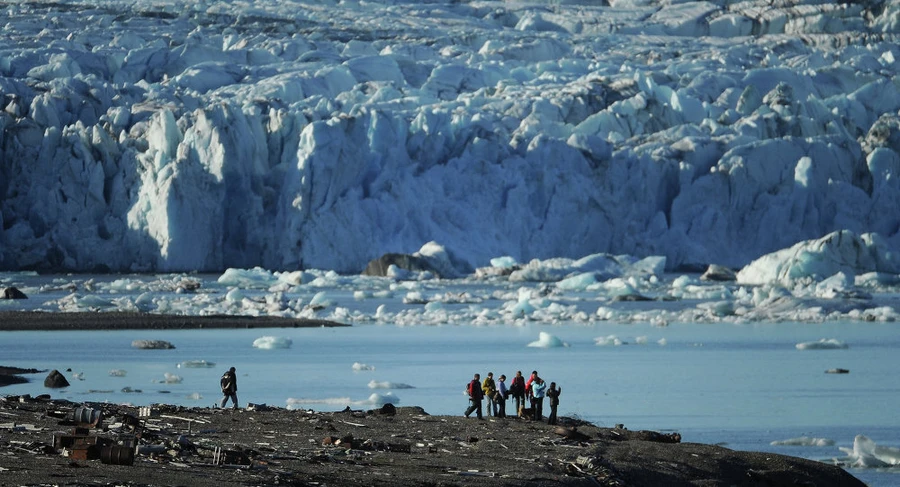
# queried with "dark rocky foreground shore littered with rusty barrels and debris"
point(52, 442)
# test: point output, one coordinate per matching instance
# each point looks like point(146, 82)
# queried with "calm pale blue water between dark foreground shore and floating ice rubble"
point(739, 385)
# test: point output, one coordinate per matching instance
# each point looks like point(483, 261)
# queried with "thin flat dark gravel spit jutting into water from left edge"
point(120, 320)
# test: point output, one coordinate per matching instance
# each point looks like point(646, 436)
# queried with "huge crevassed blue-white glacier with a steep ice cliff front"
point(170, 136)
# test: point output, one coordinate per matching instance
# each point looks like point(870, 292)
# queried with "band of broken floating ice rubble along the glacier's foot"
point(787, 285)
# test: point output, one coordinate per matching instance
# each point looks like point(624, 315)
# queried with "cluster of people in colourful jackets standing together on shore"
point(533, 390)
